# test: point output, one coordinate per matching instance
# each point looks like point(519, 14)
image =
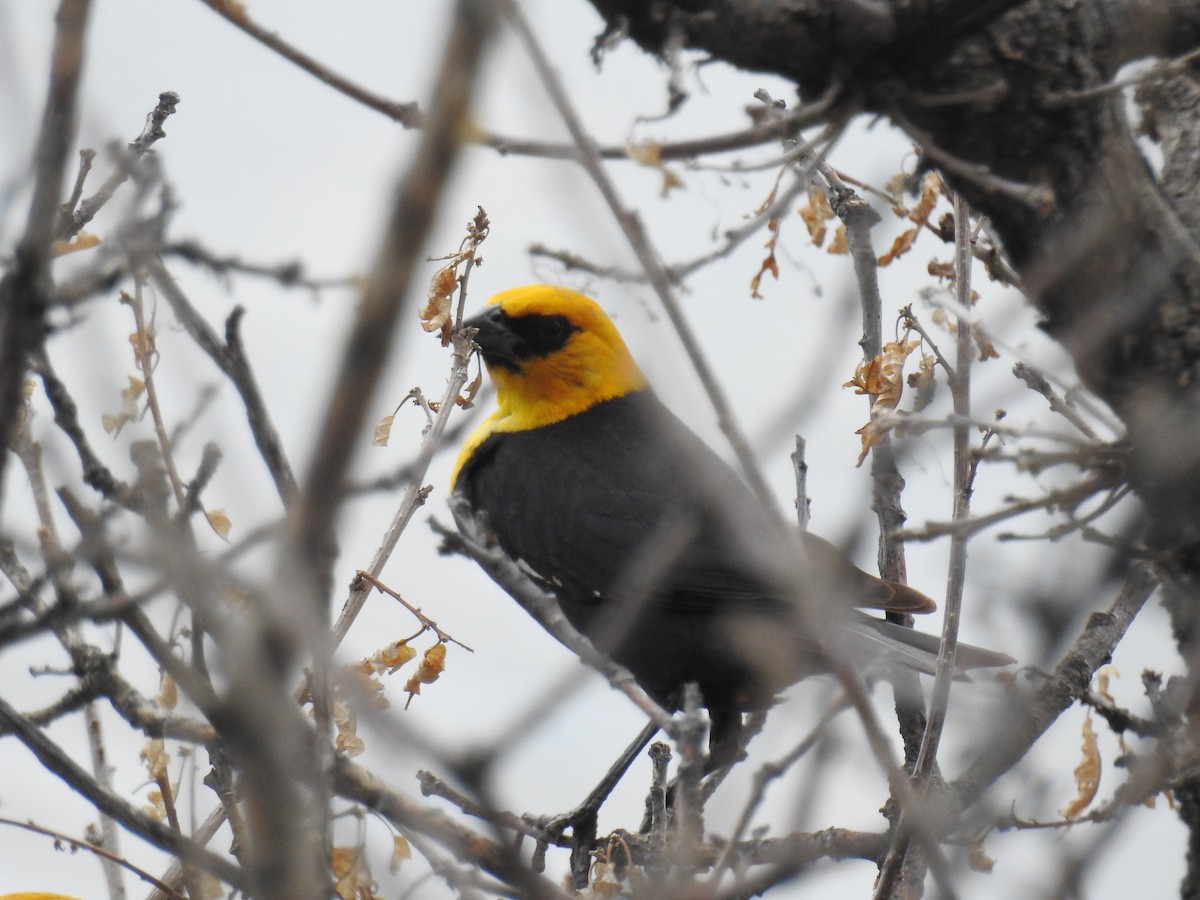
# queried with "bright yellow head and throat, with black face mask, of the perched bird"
point(551, 353)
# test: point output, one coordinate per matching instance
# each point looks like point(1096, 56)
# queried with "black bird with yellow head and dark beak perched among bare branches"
point(651, 543)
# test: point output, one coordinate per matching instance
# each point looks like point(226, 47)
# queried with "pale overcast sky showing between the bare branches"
point(273, 166)
